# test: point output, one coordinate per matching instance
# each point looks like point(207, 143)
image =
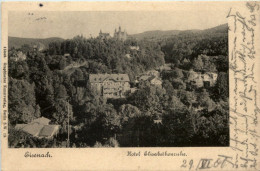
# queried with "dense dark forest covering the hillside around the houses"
point(54, 85)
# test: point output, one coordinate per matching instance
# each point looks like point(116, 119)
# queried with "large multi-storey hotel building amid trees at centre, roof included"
point(110, 85)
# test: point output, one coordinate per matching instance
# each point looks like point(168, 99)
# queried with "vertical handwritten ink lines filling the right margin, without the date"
point(244, 109)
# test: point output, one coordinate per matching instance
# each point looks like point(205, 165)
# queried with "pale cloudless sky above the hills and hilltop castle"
point(44, 24)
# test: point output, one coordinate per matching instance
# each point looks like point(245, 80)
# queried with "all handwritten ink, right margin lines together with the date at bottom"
point(244, 107)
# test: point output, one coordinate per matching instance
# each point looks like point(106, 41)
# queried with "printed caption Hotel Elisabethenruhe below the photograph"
point(158, 153)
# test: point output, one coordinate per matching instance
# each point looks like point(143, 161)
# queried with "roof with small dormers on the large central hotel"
point(101, 77)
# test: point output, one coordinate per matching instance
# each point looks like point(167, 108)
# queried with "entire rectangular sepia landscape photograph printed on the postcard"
point(117, 79)
